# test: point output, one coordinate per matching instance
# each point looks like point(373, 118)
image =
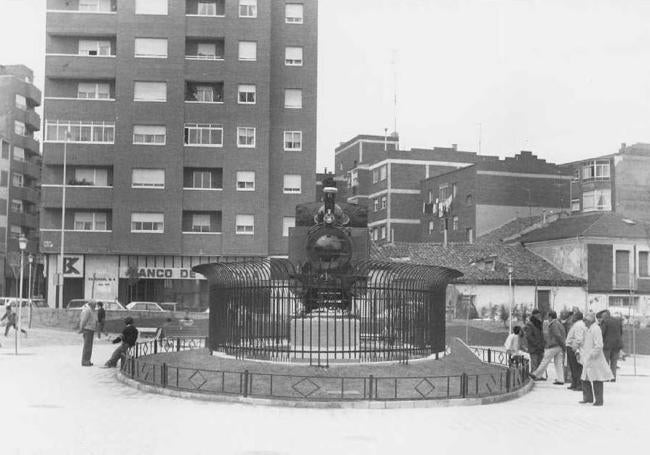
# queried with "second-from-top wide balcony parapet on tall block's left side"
point(73, 66)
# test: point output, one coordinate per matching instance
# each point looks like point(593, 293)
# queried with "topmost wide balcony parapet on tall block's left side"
point(81, 23)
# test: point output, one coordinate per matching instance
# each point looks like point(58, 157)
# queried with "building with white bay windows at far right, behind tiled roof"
point(617, 182)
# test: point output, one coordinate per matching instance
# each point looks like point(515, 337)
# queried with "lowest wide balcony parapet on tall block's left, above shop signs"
point(76, 241)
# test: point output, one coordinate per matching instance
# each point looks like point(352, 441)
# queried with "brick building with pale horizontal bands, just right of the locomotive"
point(387, 181)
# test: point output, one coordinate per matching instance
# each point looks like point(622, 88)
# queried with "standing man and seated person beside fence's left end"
point(91, 321)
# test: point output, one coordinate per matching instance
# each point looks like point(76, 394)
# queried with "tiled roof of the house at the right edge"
point(607, 225)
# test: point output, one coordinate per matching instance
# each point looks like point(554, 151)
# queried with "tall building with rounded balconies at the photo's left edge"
point(19, 169)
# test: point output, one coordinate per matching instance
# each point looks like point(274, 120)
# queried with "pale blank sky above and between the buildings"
point(565, 79)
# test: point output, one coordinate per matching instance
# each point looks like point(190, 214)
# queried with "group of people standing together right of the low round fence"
point(592, 343)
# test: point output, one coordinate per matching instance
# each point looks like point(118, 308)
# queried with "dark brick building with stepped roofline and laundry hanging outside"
point(487, 194)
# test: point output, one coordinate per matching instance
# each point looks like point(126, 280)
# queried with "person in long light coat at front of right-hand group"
point(595, 369)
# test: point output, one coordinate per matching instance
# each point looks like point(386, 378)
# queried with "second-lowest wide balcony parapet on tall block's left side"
point(78, 197)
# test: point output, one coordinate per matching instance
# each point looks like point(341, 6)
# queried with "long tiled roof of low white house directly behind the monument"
point(528, 268)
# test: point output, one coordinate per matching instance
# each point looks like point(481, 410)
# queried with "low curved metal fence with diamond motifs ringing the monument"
point(141, 365)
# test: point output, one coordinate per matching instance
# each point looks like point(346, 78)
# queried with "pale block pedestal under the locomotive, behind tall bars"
point(325, 337)
